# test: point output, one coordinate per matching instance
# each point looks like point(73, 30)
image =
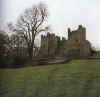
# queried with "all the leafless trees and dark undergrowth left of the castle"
point(18, 46)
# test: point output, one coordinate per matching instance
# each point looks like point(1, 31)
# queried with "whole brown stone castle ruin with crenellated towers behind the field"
point(76, 46)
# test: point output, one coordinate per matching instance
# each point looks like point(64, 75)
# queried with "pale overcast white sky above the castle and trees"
point(62, 15)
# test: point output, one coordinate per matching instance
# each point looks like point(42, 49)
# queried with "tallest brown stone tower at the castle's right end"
point(77, 43)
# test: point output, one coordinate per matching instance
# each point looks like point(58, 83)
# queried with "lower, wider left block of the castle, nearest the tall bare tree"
point(49, 45)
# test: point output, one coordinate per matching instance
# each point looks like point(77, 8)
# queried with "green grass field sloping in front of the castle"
point(78, 78)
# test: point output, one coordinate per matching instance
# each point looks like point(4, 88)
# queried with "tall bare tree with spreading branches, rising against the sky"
point(30, 24)
